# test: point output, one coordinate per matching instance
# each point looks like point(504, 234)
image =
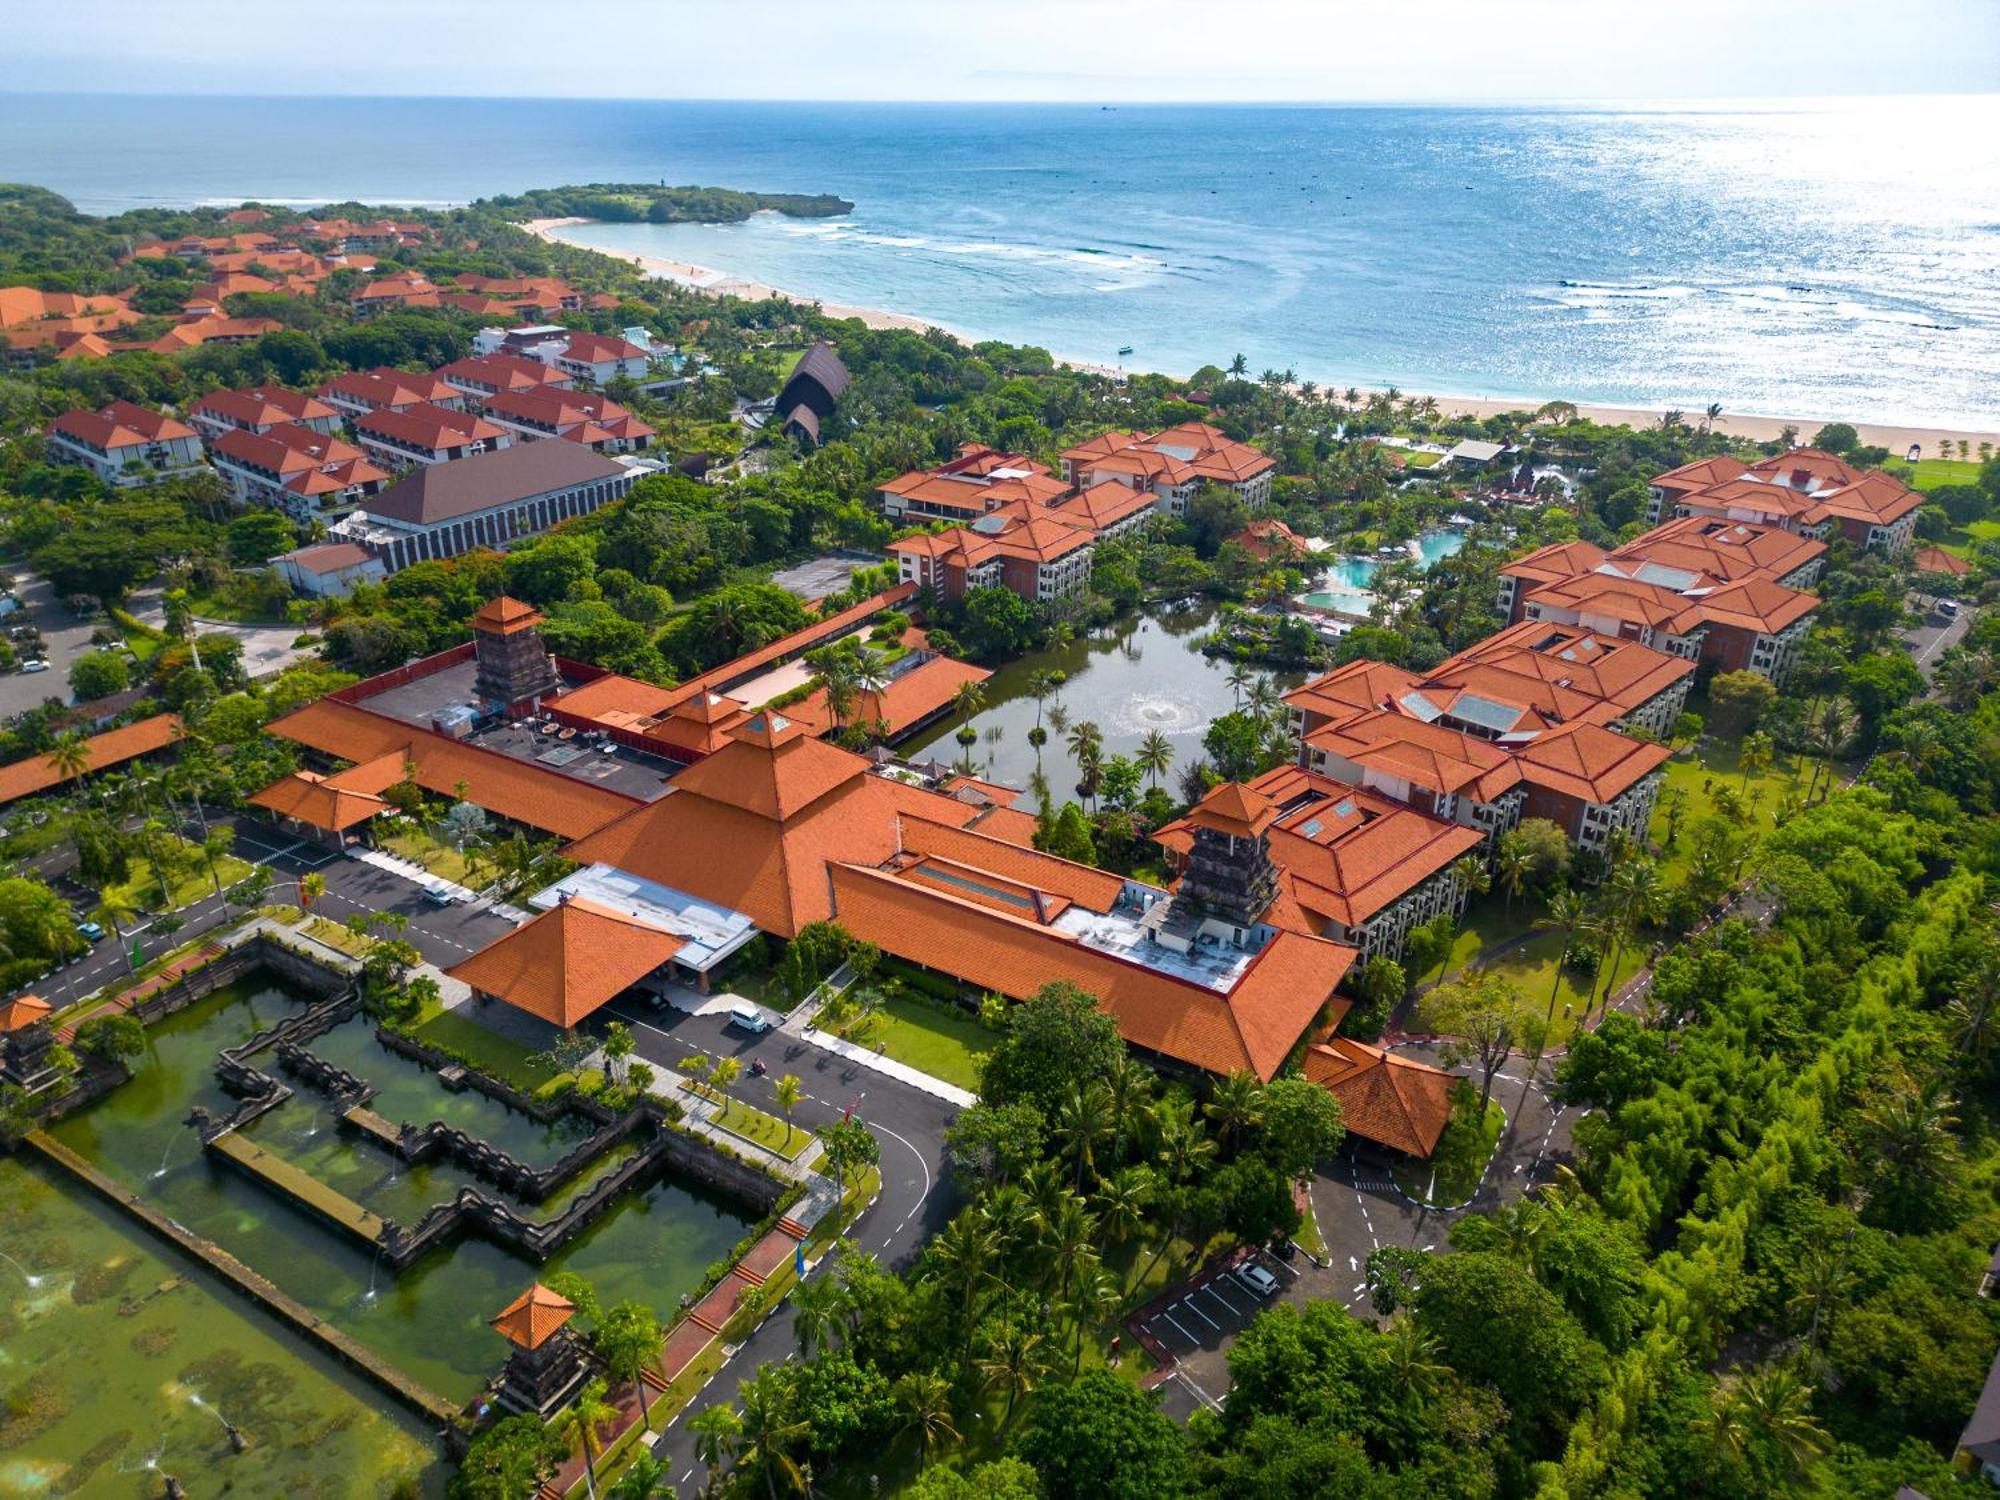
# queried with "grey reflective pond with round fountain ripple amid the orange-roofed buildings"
point(1129, 679)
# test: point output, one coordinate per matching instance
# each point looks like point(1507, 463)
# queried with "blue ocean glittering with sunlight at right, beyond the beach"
point(1829, 259)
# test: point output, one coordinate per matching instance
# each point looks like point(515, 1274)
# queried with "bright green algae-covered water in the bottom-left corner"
point(121, 1361)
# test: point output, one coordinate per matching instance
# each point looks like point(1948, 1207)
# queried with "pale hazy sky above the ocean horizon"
point(1093, 51)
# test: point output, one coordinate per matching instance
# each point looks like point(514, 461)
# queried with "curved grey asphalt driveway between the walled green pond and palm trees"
point(917, 1199)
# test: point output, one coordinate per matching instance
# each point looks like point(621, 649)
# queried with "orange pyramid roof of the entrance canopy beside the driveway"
point(569, 961)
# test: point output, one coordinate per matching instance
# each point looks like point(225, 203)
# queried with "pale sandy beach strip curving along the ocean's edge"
point(1751, 427)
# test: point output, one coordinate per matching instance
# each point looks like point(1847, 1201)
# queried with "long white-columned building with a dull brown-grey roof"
point(443, 511)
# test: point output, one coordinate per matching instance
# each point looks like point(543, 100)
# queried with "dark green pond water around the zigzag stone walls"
point(431, 1319)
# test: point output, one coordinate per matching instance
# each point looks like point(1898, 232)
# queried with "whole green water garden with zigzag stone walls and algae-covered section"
point(123, 1361)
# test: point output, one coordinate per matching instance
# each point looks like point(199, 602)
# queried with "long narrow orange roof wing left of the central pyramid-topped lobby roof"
point(513, 789)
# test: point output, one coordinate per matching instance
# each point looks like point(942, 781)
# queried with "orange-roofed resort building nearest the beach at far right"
point(1803, 491)
